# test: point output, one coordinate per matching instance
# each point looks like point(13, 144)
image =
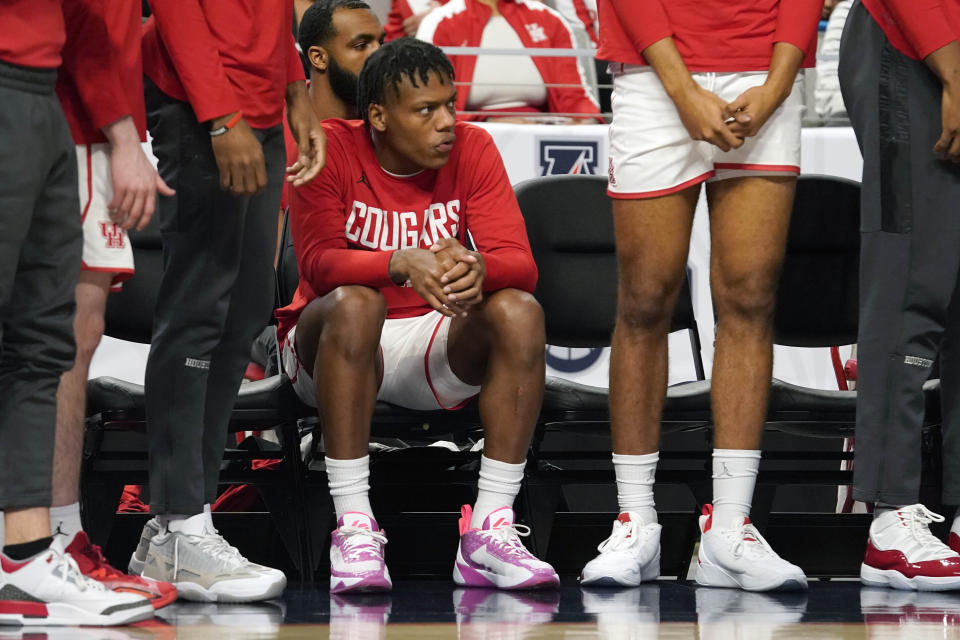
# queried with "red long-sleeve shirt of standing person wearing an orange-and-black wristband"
point(223, 57)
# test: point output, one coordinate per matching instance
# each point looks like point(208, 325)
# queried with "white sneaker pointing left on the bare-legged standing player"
point(630, 555)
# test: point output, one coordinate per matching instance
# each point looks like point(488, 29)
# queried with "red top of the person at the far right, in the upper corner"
point(917, 28)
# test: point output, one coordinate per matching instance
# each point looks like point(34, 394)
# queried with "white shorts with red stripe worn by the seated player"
point(416, 371)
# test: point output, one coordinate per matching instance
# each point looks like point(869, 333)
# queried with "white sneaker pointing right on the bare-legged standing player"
point(737, 556)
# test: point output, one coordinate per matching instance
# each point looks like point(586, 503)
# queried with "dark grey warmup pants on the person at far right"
point(909, 262)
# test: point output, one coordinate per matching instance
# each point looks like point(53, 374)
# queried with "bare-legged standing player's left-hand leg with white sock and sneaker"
point(653, 236)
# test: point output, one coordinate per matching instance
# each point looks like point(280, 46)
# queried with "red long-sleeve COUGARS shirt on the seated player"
point(348, 221)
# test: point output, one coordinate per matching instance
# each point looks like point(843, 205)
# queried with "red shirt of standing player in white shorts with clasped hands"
point(732, 35)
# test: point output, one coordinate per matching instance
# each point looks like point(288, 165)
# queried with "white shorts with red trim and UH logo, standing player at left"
point(106, 246)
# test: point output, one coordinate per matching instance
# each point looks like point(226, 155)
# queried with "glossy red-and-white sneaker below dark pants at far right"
point(903, 554)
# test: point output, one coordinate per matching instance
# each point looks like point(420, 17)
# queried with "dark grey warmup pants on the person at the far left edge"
point(40, 245)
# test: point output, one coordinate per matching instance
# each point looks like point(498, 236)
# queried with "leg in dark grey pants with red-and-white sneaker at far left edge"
point(39, 261)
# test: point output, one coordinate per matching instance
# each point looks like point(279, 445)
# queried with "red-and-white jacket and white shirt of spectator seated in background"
point(537, 84)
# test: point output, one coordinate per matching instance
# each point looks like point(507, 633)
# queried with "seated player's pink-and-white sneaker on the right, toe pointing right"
point(494, 556)
